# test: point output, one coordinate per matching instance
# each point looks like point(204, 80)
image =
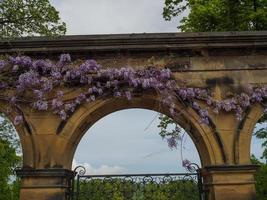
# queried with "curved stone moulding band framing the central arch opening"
point(203, 136)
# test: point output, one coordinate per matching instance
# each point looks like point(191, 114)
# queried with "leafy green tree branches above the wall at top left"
point(29, 17)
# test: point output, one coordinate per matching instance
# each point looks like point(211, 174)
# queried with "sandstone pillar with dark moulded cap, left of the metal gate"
point(45, 184)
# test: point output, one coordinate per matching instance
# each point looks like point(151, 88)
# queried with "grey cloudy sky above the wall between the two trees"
point(113, 16)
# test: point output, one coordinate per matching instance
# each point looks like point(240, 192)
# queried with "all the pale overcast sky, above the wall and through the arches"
point(121, 142)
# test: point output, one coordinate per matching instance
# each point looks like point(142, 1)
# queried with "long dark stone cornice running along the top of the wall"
point(146, 42)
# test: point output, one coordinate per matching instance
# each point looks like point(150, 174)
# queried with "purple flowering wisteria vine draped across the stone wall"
point(41, 78)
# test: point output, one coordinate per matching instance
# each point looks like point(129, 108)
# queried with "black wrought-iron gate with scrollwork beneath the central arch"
point(175, 186)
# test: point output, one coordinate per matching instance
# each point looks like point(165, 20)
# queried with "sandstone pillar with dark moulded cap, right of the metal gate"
point(230, 182)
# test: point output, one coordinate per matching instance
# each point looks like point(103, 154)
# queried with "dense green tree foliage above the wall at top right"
point(218, 15)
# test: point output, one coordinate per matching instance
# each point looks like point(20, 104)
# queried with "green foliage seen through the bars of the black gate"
point(117, 189)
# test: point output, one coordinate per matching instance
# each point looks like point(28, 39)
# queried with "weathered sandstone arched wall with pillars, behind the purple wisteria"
point(217, 61)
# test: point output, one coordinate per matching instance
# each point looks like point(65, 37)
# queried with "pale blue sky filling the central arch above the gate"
point(128, 141)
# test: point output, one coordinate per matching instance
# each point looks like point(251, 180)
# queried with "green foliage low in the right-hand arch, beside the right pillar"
point(261, 179)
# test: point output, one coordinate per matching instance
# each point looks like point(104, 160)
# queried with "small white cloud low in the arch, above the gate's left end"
point(103, 169)
